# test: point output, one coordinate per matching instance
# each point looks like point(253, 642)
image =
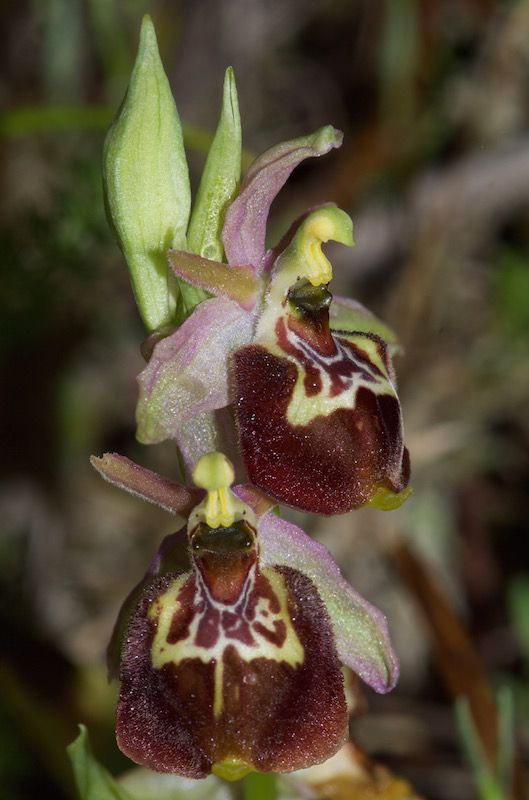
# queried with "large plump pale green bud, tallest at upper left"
point(146, 183)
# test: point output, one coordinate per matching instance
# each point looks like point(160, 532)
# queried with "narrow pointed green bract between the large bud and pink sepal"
point(220, 179)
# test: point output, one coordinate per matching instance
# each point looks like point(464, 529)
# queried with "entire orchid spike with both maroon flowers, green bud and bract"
point(231, 650)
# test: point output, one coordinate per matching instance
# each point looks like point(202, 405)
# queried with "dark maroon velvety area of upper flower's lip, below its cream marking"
point(328, 466)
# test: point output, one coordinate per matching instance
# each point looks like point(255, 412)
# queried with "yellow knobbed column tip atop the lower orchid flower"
point(214, 473)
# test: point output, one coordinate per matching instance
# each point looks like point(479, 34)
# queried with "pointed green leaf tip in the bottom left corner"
point(93, 781)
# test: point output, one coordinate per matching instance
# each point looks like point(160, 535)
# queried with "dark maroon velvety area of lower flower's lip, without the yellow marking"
point(275, 716)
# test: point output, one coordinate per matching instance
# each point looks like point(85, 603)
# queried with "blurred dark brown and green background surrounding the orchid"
point(433, 98)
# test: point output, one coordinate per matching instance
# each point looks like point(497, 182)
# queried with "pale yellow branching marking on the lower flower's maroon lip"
point(164, 608)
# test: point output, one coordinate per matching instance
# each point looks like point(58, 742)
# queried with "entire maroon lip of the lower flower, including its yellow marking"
point(255, 682)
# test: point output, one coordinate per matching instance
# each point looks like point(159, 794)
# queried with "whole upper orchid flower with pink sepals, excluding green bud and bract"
point(308, 377)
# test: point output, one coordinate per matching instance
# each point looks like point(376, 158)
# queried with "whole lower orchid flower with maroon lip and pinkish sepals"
point(229, 651)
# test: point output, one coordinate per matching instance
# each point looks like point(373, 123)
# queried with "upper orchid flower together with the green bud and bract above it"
point(307, 376)
